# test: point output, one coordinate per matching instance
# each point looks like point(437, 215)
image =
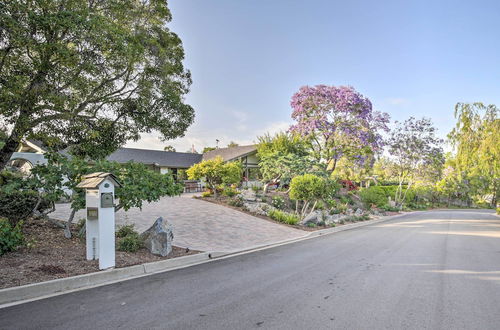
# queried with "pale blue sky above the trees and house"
point(410, 58)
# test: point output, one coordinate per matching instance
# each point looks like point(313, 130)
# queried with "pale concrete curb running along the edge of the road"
point(21, 294)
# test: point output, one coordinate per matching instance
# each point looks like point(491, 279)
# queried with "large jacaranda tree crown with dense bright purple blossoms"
point(338, 122)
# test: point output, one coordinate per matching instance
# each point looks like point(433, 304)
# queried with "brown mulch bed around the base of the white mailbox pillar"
point(49, 255)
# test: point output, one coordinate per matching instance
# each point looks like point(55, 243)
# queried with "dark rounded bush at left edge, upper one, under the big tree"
point(17, 205)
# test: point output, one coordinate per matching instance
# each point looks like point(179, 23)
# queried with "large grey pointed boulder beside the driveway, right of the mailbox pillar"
point(158, 238)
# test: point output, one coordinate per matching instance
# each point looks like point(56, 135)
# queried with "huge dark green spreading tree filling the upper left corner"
point(90, 74)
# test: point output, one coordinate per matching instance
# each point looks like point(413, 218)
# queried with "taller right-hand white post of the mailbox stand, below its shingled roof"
point(106, 225)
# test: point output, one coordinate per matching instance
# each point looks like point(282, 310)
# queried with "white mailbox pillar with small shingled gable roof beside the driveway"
point(100, 224)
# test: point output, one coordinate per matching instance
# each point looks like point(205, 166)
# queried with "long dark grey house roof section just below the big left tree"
point(161, 158)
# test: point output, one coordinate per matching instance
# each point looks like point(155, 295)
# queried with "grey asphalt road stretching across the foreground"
point(430, 270)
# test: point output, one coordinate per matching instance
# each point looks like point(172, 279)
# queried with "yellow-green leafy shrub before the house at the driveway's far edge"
point(215, 172)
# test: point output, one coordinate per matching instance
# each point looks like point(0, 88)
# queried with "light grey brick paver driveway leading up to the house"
point(200, 225)
